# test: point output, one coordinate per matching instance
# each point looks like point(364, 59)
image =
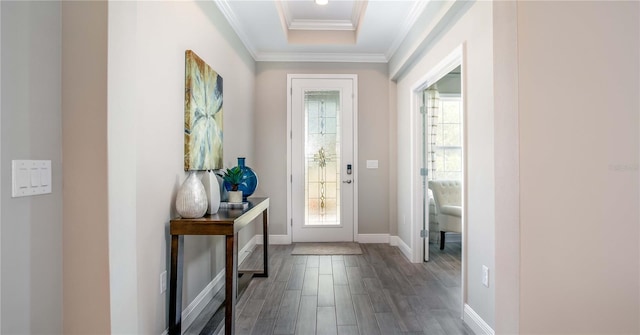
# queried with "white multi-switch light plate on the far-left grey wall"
point(30, 177)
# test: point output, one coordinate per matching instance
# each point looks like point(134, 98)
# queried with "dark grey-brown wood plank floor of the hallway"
point(378, 292)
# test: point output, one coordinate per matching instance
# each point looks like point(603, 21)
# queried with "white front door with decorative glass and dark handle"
point(322, 160)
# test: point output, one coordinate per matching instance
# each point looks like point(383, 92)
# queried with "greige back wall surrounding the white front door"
point(373, 139)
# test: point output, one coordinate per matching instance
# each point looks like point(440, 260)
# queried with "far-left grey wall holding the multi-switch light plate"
point(31, 129)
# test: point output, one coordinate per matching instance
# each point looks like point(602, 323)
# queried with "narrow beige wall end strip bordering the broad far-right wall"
point(506, 275)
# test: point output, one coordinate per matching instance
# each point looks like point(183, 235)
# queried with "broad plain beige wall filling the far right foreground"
point(578, 109)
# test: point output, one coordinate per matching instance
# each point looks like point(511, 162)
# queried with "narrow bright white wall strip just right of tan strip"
point(121, 127)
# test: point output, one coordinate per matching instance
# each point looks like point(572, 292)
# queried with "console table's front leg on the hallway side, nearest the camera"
point(231, 284)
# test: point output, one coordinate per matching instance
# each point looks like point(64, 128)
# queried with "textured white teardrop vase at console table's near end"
point(191, 201)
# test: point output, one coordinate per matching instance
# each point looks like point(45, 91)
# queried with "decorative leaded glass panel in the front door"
point(322, 157)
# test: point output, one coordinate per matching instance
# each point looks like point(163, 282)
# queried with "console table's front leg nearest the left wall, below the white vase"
point(175, 287)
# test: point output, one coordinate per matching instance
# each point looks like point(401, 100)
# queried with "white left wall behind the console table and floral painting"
point(146, 136)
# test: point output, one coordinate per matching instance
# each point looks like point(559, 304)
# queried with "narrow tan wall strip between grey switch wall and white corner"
point(84, 140)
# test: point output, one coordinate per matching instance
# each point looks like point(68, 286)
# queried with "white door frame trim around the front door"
point(289, 135)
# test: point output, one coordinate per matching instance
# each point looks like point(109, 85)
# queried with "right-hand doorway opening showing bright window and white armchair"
point(442, 157)
